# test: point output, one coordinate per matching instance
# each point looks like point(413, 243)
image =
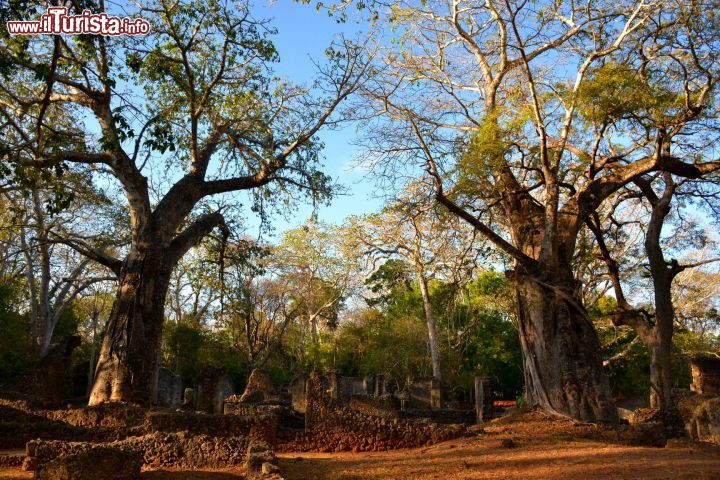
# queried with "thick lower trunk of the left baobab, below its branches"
point(130, 352)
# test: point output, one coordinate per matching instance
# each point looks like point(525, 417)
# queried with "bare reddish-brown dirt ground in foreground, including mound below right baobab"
point(544, 448)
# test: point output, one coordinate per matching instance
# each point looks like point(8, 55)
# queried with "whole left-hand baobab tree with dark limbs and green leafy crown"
point(195, 98)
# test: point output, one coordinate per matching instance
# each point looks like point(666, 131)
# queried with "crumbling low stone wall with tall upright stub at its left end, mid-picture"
point(331, 426)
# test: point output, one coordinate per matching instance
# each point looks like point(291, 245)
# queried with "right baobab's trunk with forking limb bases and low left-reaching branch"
point(561, 350)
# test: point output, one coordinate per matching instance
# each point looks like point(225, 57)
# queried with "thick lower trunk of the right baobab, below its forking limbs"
point(561, 352)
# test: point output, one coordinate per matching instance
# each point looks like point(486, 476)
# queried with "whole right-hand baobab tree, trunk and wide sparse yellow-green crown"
point(526, 117)
